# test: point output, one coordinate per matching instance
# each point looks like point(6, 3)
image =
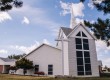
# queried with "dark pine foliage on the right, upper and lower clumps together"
point(101, 28)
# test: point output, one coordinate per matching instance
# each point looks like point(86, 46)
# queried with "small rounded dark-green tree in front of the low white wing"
point(24, 64)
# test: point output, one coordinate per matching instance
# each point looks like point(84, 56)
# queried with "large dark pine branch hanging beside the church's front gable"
point(101, 29)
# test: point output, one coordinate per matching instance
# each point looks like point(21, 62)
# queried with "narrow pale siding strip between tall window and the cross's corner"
point(72, 57)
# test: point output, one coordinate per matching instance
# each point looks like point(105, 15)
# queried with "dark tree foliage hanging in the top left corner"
point(6, 5)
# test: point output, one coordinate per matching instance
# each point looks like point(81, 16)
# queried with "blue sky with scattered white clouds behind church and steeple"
point(38, 21)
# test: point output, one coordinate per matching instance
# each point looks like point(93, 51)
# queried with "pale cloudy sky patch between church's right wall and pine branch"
point(103, 52)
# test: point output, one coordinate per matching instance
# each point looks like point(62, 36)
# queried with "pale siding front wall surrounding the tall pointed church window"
point(72, 54)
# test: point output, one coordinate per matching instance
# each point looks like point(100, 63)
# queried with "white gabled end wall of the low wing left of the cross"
point(43, 57)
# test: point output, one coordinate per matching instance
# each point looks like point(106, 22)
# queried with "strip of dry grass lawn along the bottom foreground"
point(17, 77)
